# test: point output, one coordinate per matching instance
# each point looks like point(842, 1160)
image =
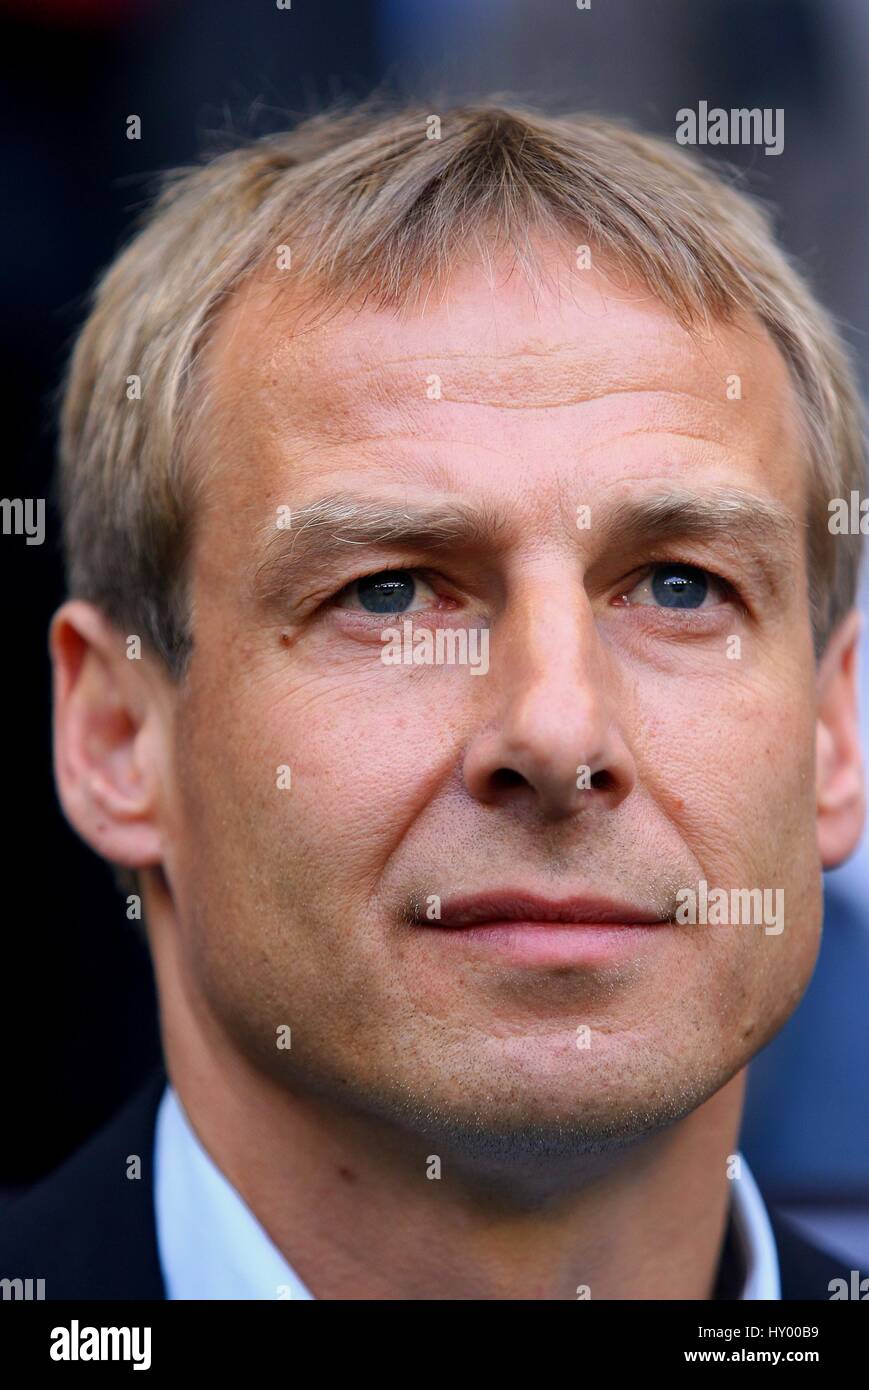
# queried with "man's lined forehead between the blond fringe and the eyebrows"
point(551, 380)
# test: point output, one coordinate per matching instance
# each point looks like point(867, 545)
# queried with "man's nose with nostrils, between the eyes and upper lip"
point(551, 736)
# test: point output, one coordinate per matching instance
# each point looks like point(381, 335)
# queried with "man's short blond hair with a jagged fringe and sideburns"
point(371, 205)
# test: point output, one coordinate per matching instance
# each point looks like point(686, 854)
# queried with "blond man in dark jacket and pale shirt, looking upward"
point(460, 655)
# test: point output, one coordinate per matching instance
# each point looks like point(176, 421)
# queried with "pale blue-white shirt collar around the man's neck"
point(212, 1246)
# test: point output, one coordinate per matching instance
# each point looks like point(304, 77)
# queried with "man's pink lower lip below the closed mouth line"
point(554, 943)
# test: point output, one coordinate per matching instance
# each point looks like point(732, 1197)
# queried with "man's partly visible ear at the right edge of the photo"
point(839, 762)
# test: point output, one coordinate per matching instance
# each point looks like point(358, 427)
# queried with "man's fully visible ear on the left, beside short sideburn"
point(108, 737)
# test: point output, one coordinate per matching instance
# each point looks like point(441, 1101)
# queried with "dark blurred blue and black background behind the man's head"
point(79, 1001)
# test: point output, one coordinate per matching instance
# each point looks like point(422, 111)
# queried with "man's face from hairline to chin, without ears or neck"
point(646, 722)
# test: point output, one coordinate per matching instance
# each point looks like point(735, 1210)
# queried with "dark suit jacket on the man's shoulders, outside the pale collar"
point(91, 1232)
